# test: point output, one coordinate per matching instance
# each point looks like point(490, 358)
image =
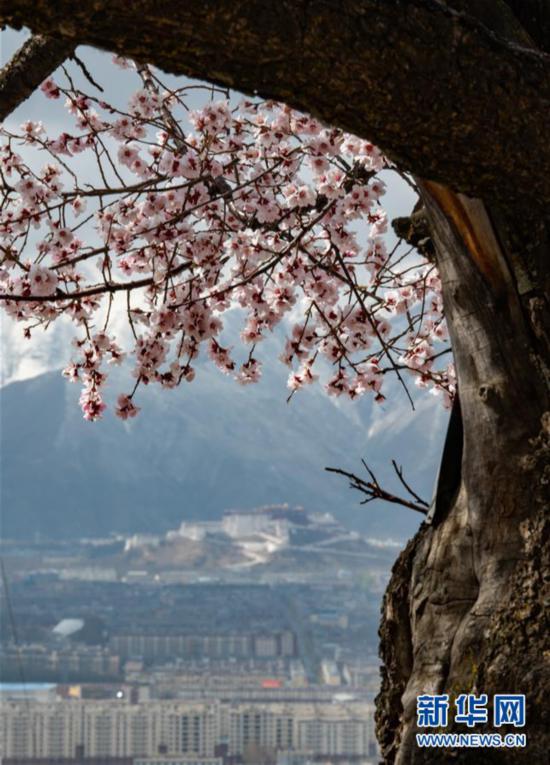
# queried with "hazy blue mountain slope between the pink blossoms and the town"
point(196, 451)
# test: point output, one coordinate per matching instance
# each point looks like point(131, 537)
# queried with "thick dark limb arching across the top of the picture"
point(442, 94)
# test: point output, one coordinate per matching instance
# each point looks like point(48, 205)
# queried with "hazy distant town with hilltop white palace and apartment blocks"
point(251, 639)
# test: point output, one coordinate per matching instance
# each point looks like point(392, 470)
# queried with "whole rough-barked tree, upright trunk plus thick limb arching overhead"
point(459, 93)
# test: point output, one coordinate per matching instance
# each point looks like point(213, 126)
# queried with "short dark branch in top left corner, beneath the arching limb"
point(34, 62)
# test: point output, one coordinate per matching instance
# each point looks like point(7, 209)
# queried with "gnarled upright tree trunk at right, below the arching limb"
point(464, 611)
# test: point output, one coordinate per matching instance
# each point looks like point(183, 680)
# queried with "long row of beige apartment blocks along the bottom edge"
point(186, 729)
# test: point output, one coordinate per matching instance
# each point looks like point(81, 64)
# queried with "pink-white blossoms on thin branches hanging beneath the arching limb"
point(189, 214)
